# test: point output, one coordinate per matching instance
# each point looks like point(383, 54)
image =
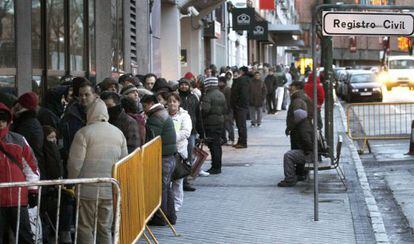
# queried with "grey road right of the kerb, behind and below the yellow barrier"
point(390, 170)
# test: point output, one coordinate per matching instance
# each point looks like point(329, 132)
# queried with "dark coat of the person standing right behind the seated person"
point(299, 100)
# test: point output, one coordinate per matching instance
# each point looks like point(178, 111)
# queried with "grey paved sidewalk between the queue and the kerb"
point(244, 205)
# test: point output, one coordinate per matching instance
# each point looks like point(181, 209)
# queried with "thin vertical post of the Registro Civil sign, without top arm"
point(315, 124)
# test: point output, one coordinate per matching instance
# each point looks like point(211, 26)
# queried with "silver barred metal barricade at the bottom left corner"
point(61, 185)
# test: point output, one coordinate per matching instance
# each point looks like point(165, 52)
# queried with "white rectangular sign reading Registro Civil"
point(367, 23)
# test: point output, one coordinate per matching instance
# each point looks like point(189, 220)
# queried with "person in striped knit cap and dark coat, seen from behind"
point(213, 108)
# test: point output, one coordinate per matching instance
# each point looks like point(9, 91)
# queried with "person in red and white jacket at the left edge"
point(17, 164)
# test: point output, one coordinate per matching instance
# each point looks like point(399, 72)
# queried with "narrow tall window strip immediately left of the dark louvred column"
point(117, 36)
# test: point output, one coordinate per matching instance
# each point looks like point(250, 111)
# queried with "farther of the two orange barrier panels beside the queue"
point(152, 157)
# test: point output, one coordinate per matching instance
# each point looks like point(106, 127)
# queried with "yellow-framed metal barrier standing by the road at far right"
point(379, 121)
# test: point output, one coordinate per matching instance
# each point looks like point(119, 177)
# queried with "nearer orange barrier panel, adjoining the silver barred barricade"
point(129, 173)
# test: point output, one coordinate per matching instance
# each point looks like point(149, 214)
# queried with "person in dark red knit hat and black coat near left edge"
point(27, 124)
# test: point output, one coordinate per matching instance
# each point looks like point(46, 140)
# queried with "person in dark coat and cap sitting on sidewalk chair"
point(302, 155)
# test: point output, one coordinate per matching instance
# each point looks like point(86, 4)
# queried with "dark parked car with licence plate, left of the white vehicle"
point(361, 85)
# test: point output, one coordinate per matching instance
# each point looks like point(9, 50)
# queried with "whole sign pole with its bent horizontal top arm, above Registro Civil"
point(316, 11)
